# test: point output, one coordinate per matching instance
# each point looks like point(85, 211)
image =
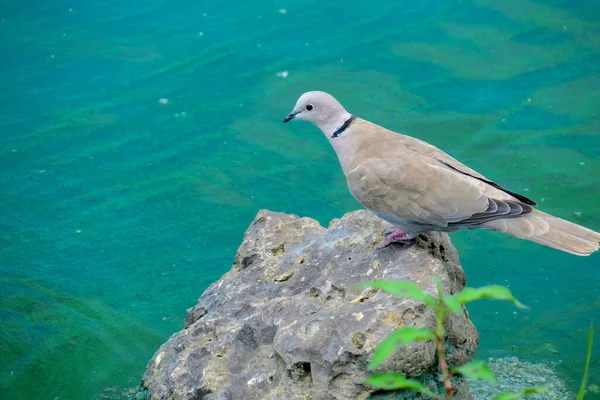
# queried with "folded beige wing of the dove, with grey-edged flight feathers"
point(411, 186)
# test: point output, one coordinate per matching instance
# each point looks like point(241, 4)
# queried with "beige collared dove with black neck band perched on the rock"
point(418, 188)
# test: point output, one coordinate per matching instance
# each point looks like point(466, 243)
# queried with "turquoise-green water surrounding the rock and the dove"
point(118, 210)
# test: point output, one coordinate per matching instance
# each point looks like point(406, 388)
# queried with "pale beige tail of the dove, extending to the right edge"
point(550, 231)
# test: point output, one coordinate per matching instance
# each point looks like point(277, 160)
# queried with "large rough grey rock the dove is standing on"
point(288, 322)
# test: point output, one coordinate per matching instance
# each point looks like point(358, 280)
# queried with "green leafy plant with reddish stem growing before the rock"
point(443, 307)
